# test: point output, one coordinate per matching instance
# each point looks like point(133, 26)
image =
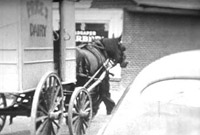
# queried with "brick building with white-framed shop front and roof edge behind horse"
point(150, 29)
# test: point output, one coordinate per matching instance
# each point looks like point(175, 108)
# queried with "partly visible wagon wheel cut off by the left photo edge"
point(2, 105)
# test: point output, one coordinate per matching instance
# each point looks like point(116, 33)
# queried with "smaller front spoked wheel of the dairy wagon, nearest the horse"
point(79, 112)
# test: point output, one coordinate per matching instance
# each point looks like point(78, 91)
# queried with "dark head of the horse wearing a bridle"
point(115, 50)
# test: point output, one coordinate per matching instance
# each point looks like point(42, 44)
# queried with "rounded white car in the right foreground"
point(162, 100)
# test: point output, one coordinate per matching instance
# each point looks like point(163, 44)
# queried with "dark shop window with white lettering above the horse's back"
point(88, 32)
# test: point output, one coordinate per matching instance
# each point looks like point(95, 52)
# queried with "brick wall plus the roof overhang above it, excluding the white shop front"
point(153, 29)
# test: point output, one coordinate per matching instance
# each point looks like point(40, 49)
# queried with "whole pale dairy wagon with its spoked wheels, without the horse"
point(35, 76)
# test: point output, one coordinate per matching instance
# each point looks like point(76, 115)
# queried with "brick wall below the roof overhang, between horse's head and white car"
point(149, 36)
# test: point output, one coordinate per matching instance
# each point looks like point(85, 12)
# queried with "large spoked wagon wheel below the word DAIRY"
point(47, 106)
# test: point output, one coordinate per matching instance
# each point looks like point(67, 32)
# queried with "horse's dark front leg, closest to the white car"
point(105, 94)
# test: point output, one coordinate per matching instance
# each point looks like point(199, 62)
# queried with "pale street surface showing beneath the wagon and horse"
point(21, 125)
